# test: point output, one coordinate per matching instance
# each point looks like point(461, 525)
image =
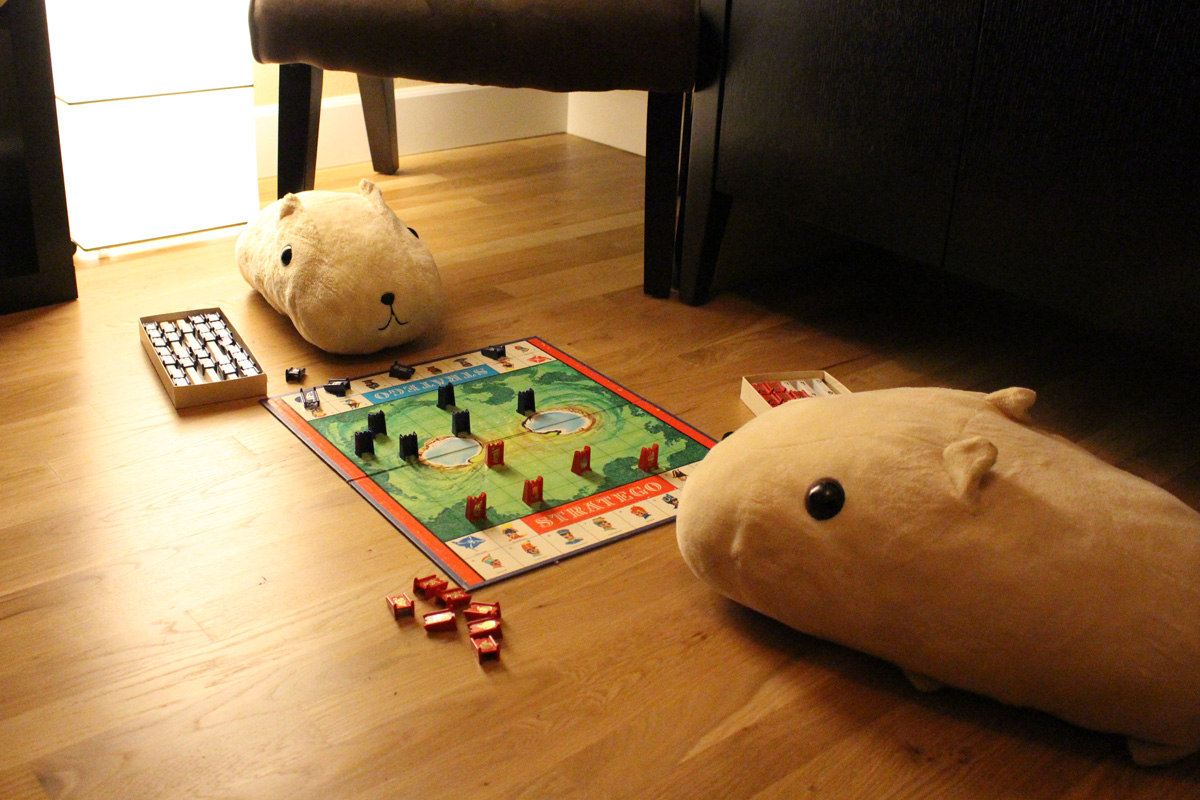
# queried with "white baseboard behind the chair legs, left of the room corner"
point(429, 118)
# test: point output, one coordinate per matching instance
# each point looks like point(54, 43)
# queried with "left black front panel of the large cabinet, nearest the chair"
point(850, 113)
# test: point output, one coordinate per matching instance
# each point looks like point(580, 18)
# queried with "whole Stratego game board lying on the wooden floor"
point(607, 462)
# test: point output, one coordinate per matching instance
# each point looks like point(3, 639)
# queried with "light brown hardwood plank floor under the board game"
point(191, 604)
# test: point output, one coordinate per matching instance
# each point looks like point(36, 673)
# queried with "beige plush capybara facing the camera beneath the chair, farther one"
point(344, 268)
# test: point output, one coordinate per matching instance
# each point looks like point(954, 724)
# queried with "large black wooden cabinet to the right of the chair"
point(1051, 151)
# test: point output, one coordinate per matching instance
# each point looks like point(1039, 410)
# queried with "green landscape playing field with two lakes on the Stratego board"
point(611, 426)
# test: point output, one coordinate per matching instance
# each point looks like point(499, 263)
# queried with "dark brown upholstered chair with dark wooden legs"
point(550, 45)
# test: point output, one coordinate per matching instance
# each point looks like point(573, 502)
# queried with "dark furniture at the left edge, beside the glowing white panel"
point(37, 267)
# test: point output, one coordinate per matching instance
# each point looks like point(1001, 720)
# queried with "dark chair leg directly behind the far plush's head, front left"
point(299, 123)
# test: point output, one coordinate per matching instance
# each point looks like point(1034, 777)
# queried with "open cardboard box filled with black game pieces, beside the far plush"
point(201, 358)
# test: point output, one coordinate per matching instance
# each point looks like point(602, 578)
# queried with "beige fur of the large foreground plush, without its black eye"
point(971, 551)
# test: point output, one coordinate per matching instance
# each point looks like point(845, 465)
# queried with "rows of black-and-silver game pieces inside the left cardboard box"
point(200, 350)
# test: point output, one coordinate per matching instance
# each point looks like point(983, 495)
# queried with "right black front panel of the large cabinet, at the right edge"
point(1081, 182)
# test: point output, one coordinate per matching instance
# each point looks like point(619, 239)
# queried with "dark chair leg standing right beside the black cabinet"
point(664, 127)
